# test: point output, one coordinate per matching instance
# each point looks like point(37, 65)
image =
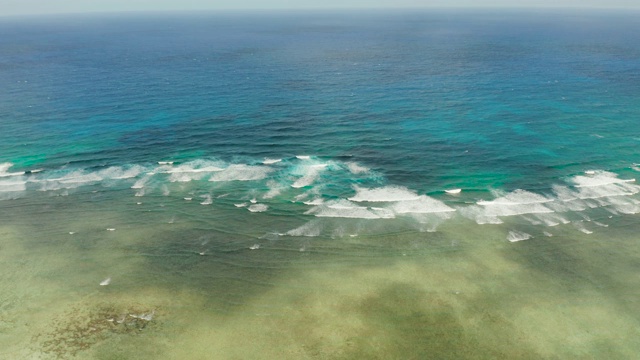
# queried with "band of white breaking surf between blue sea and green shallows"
point(325, 184)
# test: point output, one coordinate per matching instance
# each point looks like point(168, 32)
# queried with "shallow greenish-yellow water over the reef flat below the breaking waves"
point(461, 292)
